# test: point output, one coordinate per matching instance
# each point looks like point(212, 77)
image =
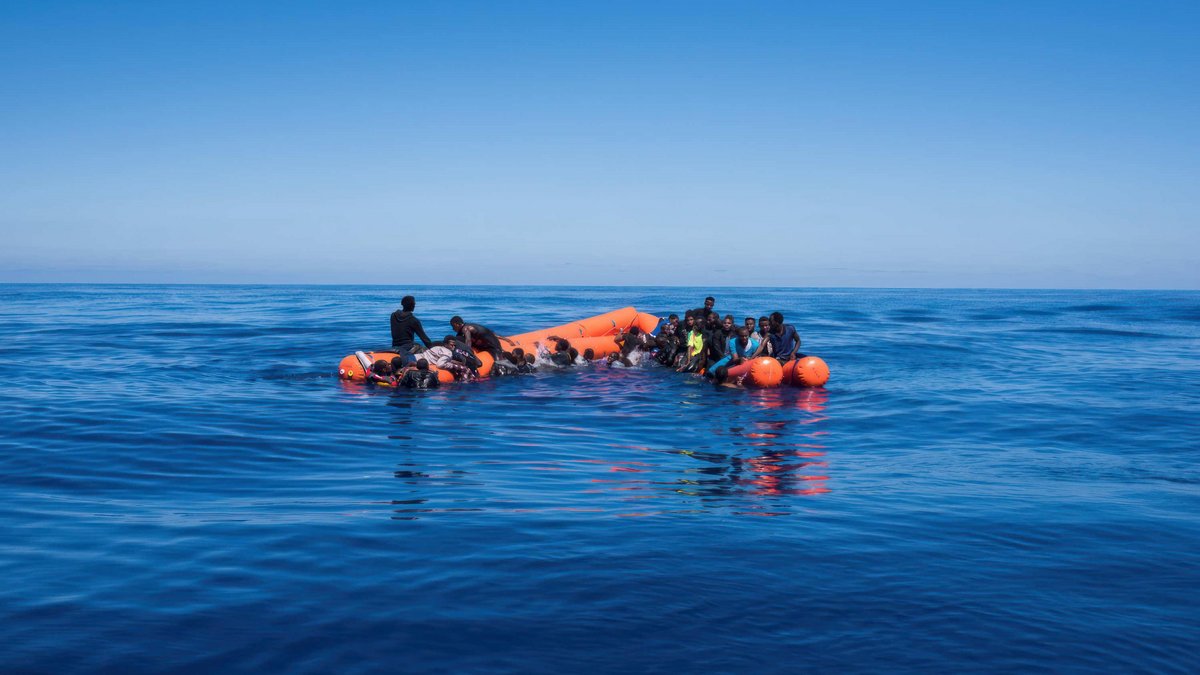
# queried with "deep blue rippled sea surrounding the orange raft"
point(993, 481)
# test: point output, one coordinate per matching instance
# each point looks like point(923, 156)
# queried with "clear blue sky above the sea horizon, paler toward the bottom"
point(925, 145)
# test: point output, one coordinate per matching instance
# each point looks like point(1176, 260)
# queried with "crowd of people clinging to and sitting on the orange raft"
point(703, 343)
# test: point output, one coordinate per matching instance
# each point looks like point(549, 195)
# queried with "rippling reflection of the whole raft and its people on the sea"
point(549, 450)
